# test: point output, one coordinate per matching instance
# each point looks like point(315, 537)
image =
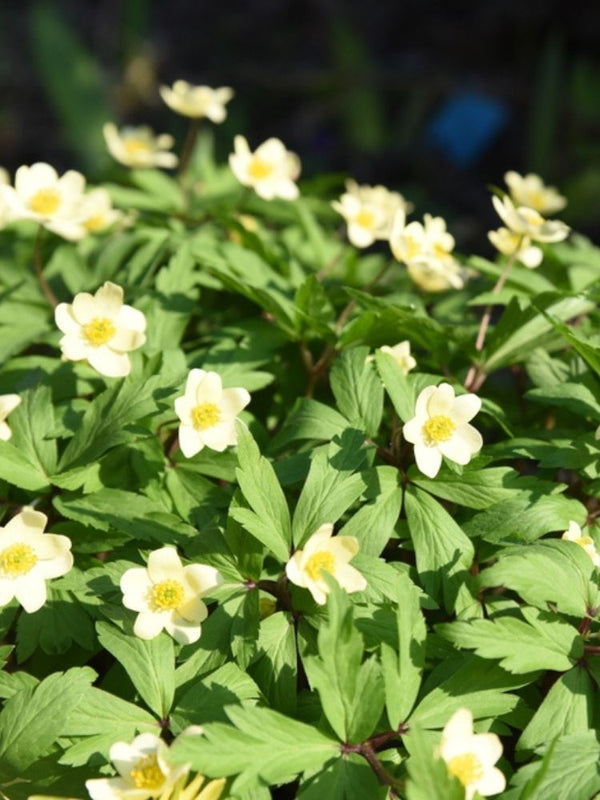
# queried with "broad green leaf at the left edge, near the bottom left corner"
point(34, 718)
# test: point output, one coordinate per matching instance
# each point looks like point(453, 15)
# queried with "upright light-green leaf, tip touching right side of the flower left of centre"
point(269, 520)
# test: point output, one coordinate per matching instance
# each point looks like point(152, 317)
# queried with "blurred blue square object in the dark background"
point(465, 126)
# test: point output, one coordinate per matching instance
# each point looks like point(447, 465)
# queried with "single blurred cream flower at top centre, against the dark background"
point(271, 170)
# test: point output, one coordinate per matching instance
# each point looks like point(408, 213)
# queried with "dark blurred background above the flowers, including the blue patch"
point(434, 99)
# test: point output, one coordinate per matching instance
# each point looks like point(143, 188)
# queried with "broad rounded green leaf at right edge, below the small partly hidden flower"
point(549, 571)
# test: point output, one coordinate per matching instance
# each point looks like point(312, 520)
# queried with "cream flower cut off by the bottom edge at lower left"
point(143, 768)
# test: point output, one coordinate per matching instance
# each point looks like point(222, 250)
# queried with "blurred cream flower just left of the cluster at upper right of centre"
point(369, 212)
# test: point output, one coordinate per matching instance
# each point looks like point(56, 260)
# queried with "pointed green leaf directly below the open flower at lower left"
point(149, 664)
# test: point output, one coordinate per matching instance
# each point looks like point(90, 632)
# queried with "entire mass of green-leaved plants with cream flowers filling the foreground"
point(296, 500)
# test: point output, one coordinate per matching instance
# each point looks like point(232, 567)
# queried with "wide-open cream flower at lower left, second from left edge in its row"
point(168, 595)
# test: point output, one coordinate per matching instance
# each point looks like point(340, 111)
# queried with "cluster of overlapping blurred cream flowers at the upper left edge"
point(58, 203)
